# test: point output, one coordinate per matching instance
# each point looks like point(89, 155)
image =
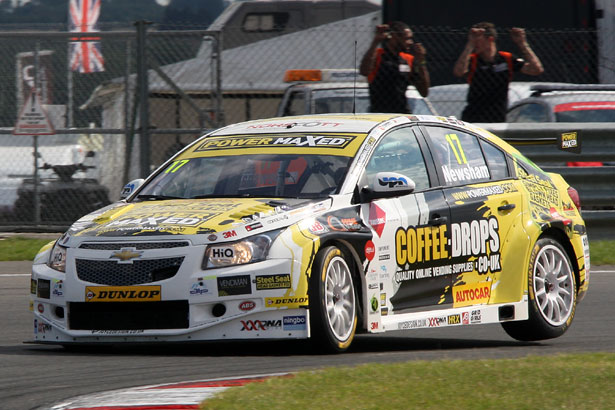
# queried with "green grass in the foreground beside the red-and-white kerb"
point(579, 381)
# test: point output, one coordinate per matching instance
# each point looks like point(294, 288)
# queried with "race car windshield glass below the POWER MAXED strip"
point(278, 176)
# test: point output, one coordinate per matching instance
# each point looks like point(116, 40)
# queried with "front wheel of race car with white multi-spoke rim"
point(333, 299)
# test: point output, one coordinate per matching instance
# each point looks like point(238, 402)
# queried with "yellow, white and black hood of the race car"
point(238, 217)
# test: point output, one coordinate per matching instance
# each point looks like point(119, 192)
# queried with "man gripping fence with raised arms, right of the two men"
point(489, 71)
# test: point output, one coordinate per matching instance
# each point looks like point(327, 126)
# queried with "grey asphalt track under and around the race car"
point(37, 376)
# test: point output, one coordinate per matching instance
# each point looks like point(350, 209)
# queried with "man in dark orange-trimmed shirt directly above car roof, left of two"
point(390, 69)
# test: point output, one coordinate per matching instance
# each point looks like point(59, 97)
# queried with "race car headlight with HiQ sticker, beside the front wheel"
point(252, 249)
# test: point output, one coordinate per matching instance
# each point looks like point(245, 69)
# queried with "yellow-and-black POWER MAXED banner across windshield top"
point(312, 141)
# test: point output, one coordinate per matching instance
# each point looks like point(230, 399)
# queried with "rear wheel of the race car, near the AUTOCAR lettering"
point(552, 294)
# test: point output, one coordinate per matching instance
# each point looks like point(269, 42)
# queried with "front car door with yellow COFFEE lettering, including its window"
point(408, 231)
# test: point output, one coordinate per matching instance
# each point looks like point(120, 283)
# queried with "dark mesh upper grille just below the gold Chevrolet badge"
point(112, 273)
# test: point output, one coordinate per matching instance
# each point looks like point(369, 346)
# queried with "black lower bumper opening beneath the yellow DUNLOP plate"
point(171, 314)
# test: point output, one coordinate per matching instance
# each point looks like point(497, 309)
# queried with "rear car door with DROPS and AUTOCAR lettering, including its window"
point(486, 205)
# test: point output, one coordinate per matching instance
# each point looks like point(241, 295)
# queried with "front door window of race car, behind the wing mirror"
point(399, 151)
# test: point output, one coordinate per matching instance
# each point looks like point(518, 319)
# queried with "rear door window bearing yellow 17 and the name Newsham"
point(460, 155)
